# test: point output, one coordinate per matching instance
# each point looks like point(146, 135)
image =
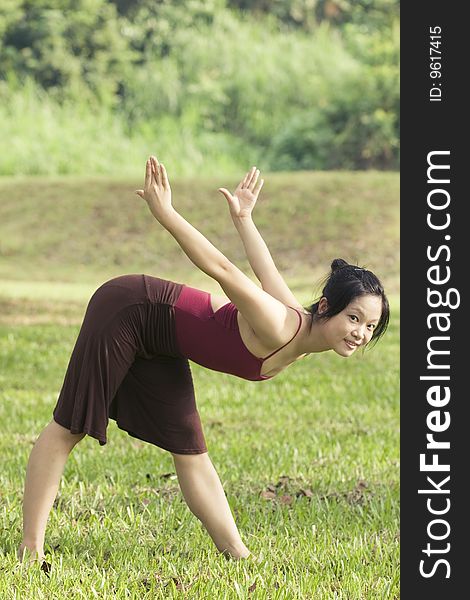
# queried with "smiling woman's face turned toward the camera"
point(354, 326)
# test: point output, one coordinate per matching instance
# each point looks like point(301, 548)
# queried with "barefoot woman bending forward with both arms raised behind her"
point(130, 360)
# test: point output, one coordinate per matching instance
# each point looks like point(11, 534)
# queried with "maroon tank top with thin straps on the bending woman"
point(212, 339)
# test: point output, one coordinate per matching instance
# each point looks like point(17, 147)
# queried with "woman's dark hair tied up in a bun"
point(346, 282)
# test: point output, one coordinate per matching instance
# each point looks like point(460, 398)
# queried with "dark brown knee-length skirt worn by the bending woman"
point(126, 366)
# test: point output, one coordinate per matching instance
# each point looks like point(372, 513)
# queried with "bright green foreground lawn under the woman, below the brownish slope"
point(121, 527)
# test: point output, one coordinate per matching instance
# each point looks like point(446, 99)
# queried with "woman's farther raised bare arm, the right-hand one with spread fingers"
point(241, 204)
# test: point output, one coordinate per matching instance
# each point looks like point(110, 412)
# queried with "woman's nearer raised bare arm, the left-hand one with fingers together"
point(268, 317)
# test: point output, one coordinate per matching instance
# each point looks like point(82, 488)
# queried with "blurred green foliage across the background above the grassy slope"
point(303, 84)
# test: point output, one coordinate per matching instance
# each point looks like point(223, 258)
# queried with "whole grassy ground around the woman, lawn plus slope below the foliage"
point(327, 426)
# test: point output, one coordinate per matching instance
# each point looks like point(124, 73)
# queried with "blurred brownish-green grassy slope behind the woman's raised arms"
point(81, 231)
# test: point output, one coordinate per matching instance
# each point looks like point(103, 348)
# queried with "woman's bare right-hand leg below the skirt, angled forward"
point(204, 494)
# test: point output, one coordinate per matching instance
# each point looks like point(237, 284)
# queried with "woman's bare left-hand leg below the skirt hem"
point(45, 467)
